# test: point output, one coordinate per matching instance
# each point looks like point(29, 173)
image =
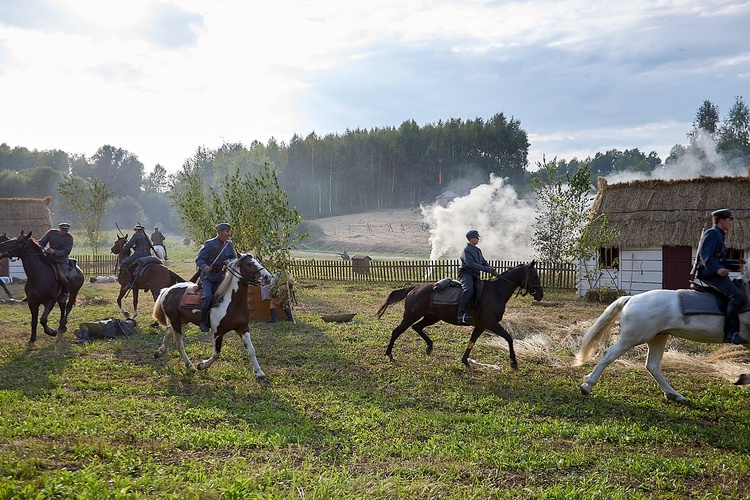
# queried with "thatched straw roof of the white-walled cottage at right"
point(658, 212)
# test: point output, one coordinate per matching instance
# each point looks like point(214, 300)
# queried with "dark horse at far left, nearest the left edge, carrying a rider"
point(42, 287)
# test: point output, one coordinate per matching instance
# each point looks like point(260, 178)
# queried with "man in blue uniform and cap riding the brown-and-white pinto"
point(213, 255)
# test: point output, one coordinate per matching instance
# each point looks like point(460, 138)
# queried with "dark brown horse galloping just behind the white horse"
point(420, 309)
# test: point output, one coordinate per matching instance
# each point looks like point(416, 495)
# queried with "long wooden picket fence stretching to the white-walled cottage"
point(552, 276)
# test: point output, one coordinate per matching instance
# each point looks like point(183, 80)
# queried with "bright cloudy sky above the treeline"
point(161, 78)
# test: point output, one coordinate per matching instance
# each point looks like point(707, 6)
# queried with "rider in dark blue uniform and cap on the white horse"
point(713, 268)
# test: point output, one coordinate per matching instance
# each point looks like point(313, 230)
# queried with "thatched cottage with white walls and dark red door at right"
point(660, 223)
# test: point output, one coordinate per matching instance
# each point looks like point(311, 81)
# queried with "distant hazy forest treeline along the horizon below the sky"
point(354, 171)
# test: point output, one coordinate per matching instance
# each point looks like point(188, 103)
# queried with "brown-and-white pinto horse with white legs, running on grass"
point(230, 311)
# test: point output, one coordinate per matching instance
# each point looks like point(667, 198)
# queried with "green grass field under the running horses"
point(337, 420)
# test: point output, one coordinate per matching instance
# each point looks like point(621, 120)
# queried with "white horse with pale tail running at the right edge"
point(650, 318)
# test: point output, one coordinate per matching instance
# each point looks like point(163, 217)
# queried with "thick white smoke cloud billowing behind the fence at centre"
point(503, 220)
